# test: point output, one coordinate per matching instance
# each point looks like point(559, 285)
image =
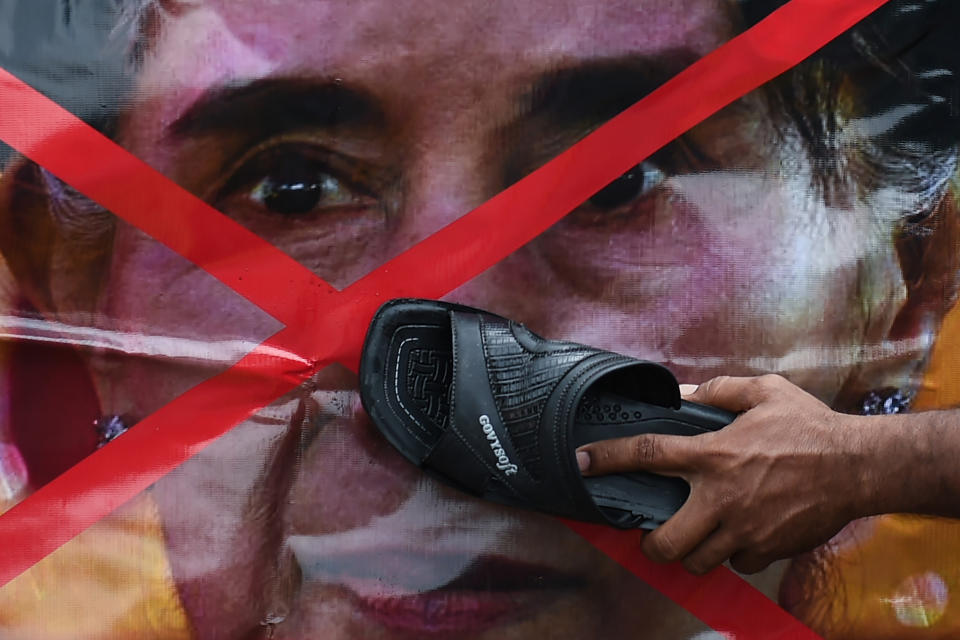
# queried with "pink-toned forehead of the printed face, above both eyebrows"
point(214, 41)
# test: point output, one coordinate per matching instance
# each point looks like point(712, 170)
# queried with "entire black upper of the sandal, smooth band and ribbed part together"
point(501, 373)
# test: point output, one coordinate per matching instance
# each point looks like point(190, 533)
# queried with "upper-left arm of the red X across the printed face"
point(96, 166)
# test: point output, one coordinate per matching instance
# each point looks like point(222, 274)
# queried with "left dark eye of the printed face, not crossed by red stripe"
point(297, 186)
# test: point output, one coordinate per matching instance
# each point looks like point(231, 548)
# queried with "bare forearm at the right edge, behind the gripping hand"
point(912, 463)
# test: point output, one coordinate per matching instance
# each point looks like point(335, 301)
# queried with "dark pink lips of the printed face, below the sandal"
point(492, 590)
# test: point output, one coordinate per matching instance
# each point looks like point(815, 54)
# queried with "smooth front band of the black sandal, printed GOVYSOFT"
point(476, 447)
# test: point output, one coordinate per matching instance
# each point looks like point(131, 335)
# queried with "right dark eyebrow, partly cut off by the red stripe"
point(595, 91)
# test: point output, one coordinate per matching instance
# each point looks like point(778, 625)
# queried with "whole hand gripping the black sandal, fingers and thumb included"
point(783, 478)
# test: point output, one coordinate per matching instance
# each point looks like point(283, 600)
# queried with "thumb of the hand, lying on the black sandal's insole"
point(668, 455)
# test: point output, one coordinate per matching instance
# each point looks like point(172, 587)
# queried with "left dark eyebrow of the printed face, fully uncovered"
point(273, 105)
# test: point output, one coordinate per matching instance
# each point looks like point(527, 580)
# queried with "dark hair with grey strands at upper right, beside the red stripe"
point(881, 104)
